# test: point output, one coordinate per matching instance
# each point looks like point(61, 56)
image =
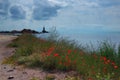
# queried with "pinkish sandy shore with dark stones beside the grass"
point(8, 72)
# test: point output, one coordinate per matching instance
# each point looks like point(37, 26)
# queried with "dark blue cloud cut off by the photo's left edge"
point(4, 5)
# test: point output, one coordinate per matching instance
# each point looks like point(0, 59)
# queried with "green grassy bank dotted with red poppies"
point(65, 55)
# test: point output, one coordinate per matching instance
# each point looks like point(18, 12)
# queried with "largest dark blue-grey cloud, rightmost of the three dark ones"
point(43, 10)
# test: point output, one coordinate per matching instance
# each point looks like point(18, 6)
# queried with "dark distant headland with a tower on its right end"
point(25, 31)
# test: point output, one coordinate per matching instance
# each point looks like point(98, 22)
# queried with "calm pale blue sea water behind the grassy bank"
point(93, 38)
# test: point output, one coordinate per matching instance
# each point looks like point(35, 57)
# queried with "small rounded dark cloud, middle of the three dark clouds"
point(17, 12)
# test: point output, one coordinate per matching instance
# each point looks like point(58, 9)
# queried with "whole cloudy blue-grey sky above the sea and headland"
point(93, 15)
